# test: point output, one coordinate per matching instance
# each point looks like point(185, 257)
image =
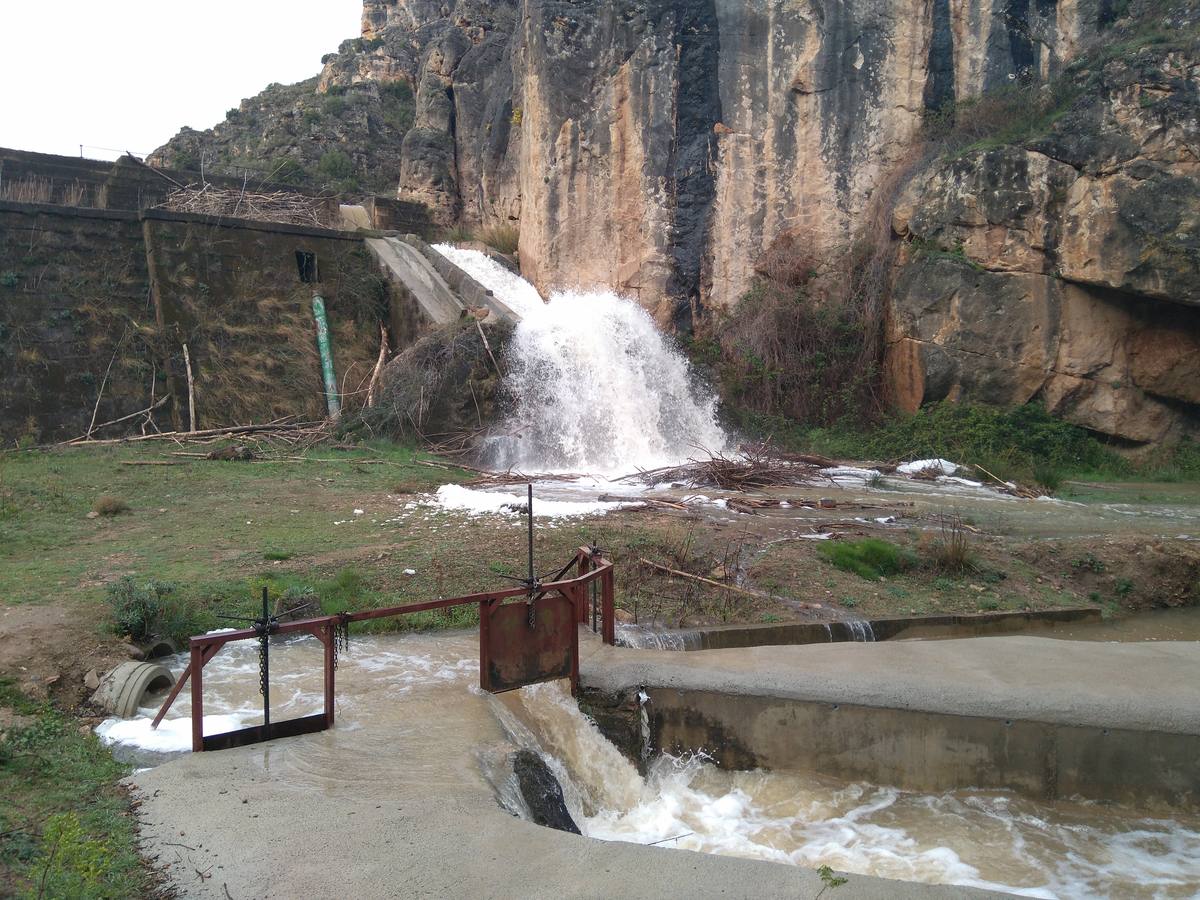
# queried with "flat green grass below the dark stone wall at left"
point(199, 526)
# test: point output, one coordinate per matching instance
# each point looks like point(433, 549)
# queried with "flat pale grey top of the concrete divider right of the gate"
point(1126, 686)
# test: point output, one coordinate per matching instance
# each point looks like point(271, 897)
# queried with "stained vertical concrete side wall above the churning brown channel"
point(928, 752)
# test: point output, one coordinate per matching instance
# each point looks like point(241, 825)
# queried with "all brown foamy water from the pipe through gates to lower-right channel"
point(393, 687)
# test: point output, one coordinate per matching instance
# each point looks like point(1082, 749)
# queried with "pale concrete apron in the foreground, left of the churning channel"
point(400, 808)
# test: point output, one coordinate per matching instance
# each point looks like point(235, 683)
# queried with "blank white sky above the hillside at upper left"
point(129, 75)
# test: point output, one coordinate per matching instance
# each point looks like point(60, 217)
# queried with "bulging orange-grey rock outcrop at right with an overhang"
point(1066, 269)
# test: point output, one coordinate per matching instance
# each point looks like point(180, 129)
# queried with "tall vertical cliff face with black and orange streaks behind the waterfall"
point(658, 147)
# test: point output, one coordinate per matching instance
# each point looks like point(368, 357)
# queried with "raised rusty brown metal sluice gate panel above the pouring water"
point(515, 653)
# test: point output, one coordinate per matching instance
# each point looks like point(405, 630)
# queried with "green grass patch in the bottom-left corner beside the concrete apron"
point(68, 827)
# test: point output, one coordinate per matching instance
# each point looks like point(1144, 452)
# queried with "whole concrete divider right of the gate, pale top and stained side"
point(1045, 718)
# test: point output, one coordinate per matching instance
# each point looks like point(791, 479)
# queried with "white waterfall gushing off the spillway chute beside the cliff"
point(597, 387)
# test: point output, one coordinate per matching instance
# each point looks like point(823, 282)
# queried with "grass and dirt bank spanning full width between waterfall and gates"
point(221, 531)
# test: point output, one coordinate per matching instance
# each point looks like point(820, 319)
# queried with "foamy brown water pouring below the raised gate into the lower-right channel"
point(987, 841)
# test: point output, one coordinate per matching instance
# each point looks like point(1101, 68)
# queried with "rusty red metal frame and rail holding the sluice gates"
point(591, 569)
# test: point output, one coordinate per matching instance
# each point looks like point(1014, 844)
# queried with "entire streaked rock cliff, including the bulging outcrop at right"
point(659, 147)
